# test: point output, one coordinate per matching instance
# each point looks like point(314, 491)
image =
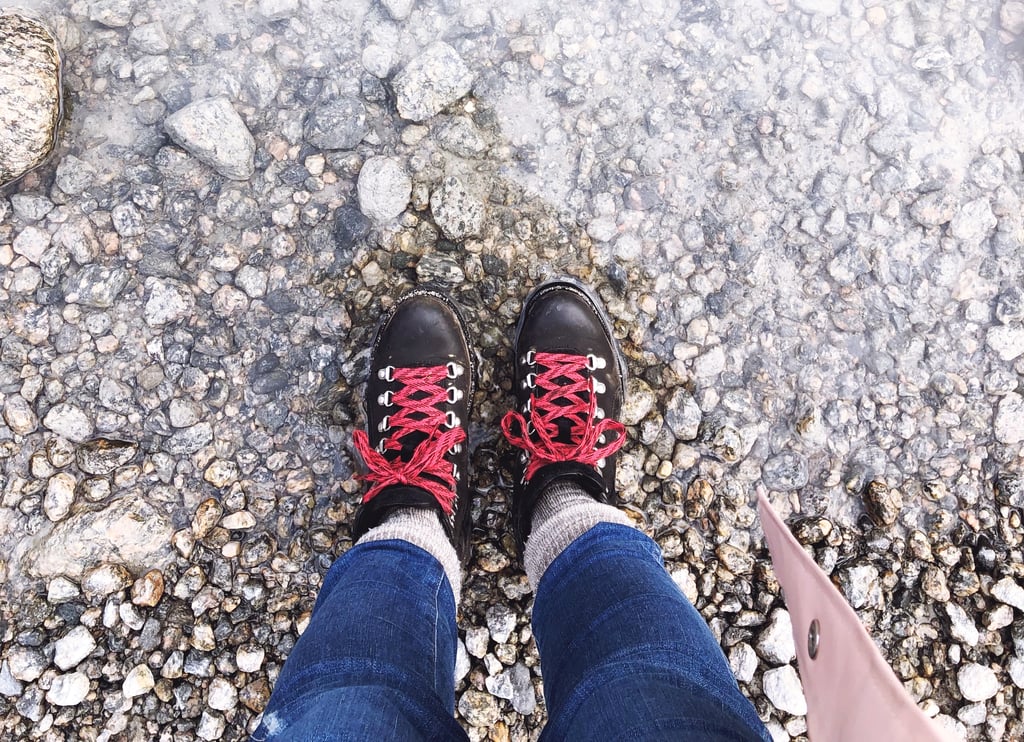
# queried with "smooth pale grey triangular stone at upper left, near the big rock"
point(214, 133)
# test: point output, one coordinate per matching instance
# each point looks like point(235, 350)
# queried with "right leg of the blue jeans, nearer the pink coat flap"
point(624, 653)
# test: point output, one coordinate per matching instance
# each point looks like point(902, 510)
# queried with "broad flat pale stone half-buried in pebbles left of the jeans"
point(130, 531)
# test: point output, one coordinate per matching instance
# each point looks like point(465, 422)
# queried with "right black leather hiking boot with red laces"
point(569, 384)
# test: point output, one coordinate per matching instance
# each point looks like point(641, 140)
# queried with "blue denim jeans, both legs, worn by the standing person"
point(625, 656)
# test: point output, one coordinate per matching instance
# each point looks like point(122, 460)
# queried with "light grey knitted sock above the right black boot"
point(564, 513)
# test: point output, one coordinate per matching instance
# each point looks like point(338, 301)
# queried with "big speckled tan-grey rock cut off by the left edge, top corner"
point(30, 95)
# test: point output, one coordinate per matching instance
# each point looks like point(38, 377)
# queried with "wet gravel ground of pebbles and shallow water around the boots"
point(805, 220)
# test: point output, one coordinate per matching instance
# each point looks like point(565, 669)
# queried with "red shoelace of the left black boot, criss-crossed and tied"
point(416, 402)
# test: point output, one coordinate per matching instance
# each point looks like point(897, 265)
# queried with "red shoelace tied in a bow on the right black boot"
point(566, 391)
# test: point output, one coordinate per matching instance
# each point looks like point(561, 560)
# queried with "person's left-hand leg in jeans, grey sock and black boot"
point(377, 661)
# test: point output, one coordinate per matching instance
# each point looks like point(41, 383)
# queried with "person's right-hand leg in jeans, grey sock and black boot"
point(625, 657)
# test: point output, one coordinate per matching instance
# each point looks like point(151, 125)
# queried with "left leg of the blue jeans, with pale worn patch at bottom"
point(377, 661)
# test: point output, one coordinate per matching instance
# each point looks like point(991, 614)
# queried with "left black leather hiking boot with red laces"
point(418, 403)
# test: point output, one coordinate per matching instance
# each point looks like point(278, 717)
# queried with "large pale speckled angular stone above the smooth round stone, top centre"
point(432, 82)
